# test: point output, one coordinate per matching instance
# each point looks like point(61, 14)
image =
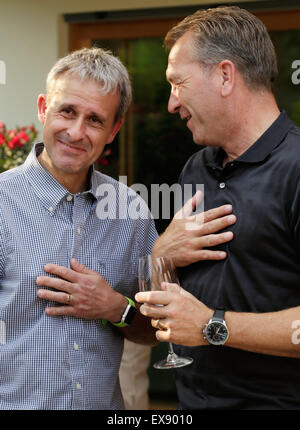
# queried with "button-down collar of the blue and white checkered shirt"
point(45, 186)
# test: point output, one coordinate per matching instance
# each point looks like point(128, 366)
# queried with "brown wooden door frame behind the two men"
point(82, 34)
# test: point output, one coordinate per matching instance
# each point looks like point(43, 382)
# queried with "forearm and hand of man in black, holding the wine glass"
point(183, 318)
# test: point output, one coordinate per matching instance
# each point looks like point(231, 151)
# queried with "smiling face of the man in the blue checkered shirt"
point(79, 120)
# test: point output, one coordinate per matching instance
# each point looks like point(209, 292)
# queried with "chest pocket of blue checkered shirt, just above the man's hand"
point(121, 274)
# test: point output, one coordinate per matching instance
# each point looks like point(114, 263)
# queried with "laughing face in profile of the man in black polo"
point(195, 92)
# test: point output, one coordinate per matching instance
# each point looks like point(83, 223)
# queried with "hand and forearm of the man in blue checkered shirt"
point(91, 297)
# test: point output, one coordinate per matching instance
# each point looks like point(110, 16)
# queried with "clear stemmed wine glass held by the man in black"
point(152, 272)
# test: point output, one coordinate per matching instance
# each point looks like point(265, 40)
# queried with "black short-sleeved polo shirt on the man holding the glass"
point(260, 274)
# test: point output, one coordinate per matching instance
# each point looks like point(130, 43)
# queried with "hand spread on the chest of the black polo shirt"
point(188, 236)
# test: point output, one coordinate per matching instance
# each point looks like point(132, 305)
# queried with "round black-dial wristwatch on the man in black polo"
point(216, 331)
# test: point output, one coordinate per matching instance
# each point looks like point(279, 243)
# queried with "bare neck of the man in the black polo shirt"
point(252, 117)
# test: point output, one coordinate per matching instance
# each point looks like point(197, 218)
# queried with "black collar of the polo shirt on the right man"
point(263, 147)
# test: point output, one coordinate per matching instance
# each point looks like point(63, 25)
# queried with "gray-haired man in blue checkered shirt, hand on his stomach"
point(68, 271)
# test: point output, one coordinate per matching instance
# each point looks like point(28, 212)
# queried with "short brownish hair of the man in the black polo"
point(230, 33)
